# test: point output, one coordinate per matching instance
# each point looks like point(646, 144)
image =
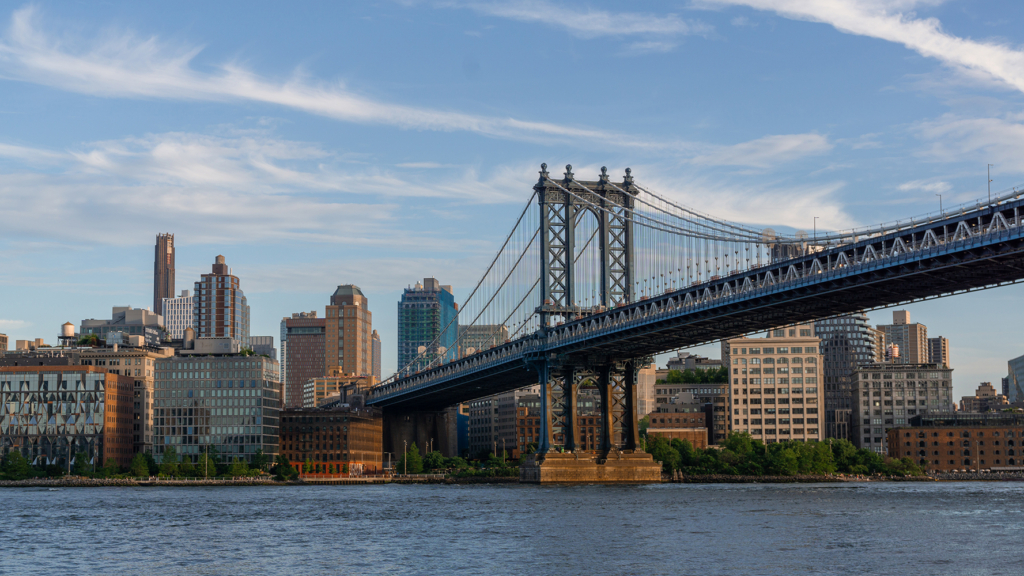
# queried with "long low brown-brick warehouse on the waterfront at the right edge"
point(962, 441)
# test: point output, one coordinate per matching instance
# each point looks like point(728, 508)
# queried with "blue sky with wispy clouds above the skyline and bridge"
point(380, 143)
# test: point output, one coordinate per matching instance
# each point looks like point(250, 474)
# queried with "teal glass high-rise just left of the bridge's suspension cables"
point(428, 325)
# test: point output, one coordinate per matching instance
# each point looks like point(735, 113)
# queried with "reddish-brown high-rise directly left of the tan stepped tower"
point(306, 338)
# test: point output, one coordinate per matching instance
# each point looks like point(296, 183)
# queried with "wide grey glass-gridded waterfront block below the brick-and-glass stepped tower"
point(228, 402)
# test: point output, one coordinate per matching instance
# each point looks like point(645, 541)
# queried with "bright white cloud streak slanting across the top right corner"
point(888, 20)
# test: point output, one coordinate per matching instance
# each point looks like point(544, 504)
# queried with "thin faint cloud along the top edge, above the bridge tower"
point(586, 23)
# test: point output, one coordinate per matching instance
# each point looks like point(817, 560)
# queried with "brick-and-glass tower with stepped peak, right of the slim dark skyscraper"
point(221, 309)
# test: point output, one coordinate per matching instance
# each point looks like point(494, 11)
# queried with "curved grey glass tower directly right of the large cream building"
point(847, 343)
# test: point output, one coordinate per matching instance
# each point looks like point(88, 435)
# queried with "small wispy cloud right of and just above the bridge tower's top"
point(765, 152)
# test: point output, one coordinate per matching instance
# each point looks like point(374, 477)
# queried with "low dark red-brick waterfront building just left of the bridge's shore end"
point(334, 437)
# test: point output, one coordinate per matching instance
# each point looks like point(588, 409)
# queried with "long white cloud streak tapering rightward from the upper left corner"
point(130, 67)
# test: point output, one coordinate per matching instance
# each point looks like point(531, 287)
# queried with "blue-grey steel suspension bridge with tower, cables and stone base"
point(601, 276)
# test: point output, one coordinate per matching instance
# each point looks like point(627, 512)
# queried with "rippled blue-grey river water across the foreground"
point(895, 528)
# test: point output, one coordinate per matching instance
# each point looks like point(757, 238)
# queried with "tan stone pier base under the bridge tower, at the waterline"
point(617, 468)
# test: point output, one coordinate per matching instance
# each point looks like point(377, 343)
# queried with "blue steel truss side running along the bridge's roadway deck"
point(879, 253)
